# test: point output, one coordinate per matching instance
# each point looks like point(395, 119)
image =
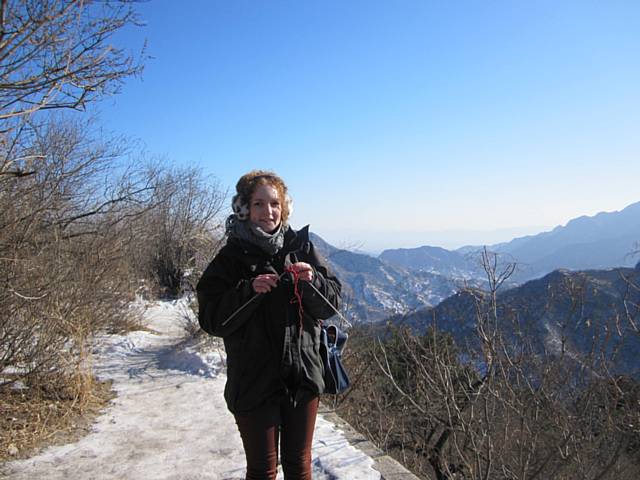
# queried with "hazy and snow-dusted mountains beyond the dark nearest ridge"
point(400, 281)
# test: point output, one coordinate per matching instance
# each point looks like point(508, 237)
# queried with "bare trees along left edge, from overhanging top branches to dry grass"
point(66, 200)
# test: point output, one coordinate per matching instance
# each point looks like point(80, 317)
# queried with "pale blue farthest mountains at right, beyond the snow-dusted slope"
point(602, 241)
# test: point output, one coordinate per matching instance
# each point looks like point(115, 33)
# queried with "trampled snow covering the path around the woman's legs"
point(169, 420)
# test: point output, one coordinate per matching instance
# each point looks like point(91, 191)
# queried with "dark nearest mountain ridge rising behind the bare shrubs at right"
point(576, 311)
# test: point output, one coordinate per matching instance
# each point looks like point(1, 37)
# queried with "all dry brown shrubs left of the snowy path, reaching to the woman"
point(77, 232)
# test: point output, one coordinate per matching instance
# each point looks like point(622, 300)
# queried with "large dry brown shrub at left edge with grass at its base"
point(65, 273)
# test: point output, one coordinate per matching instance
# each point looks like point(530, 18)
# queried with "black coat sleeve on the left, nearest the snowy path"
point(225, 300)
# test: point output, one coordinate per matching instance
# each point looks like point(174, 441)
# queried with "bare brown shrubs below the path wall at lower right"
point(497, 407)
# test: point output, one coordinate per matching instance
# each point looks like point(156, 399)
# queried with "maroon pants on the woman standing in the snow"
point(260, 431)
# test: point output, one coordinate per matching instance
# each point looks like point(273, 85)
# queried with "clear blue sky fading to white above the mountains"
point(398, 123)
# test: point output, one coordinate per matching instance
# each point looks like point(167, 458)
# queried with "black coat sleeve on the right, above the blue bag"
point(326, 283)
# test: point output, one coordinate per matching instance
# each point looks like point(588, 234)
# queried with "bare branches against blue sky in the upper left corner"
point(57, 53)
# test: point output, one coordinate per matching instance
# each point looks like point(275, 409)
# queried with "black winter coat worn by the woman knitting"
point(267, 358)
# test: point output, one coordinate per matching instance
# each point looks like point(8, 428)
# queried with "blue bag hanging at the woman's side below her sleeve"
point(332, 342)
